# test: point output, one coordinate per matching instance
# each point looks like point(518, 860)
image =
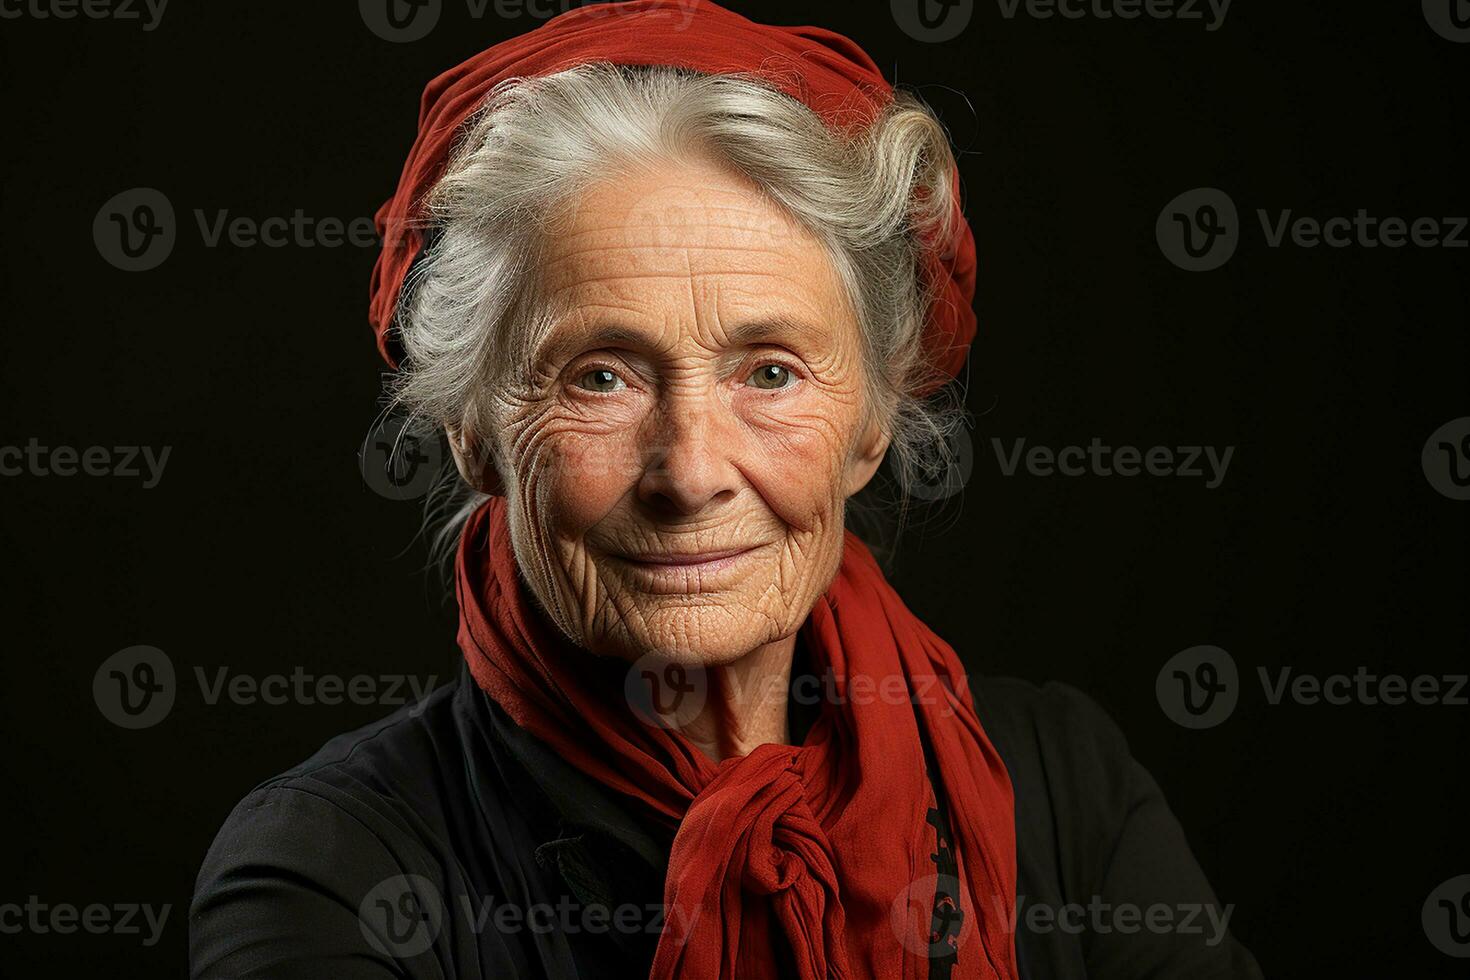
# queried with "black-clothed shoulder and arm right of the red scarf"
point(1097, 844)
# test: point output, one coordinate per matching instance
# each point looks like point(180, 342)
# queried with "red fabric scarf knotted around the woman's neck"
point(817, 843)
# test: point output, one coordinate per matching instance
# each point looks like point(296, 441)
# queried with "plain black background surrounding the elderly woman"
point(262, 550)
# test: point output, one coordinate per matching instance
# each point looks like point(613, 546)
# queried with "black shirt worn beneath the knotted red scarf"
point(445, 841)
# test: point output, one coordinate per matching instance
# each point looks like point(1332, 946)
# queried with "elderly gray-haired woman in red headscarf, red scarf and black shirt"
point(674, 284)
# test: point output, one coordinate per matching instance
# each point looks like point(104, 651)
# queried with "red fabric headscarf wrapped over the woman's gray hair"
point(824, 70)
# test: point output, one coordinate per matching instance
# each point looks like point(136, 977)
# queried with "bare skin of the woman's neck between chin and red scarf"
point(746, 705)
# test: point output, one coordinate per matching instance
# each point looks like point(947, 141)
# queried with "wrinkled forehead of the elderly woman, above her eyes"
point(687, 256)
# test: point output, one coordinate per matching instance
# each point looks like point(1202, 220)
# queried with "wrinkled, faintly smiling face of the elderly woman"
point(700, 394)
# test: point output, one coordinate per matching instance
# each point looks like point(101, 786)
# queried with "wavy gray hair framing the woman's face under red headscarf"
point(473, 317)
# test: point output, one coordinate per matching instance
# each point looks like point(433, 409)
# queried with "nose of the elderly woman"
point(690, 456)
